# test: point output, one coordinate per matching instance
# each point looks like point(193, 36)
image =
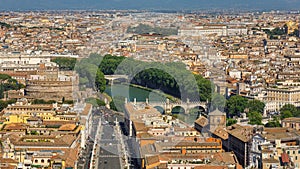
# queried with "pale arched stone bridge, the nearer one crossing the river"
point(169, 106)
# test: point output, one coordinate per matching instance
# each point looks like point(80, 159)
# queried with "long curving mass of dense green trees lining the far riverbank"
point(171, 78)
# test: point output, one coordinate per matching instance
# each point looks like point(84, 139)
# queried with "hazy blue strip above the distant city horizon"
point(149, 4)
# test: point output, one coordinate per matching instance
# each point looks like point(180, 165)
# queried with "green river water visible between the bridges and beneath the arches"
point(140, 94)
